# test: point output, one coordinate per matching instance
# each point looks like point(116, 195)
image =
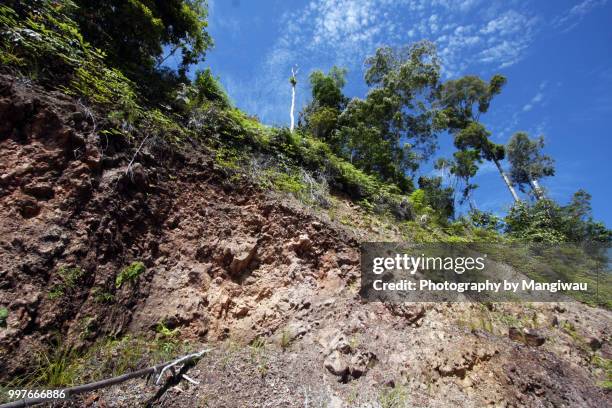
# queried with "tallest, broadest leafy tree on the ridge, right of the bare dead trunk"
point(390, 131)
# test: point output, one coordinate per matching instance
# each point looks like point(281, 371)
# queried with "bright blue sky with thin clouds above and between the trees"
point(557, 56)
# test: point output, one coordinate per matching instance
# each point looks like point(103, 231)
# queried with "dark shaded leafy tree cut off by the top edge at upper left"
point(135, 33)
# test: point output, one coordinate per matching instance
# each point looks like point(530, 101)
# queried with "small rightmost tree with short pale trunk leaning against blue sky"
point(528, 164)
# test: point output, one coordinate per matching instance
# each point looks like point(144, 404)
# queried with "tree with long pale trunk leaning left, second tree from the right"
point(463, 101)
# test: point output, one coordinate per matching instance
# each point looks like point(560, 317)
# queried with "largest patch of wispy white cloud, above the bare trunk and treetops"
point(469, 35)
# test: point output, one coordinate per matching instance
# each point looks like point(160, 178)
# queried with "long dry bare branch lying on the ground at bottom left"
point(79, 389)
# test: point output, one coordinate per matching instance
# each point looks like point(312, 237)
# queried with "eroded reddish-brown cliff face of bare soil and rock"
point(227, 263)
